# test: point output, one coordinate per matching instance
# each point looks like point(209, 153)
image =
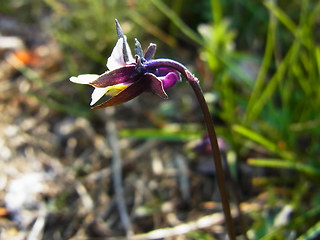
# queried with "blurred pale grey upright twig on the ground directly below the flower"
point(117, 172)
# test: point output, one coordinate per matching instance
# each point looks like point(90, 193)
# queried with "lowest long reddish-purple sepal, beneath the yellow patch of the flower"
point(125, 95)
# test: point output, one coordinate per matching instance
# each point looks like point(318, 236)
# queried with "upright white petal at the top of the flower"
point(116, 60)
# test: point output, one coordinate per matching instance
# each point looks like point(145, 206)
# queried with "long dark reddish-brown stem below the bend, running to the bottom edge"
point(216, 157)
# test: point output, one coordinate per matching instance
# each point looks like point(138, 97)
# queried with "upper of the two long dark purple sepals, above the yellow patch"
point(120, 75)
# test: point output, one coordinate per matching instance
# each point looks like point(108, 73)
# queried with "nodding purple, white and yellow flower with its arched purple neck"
point(128, 77)
